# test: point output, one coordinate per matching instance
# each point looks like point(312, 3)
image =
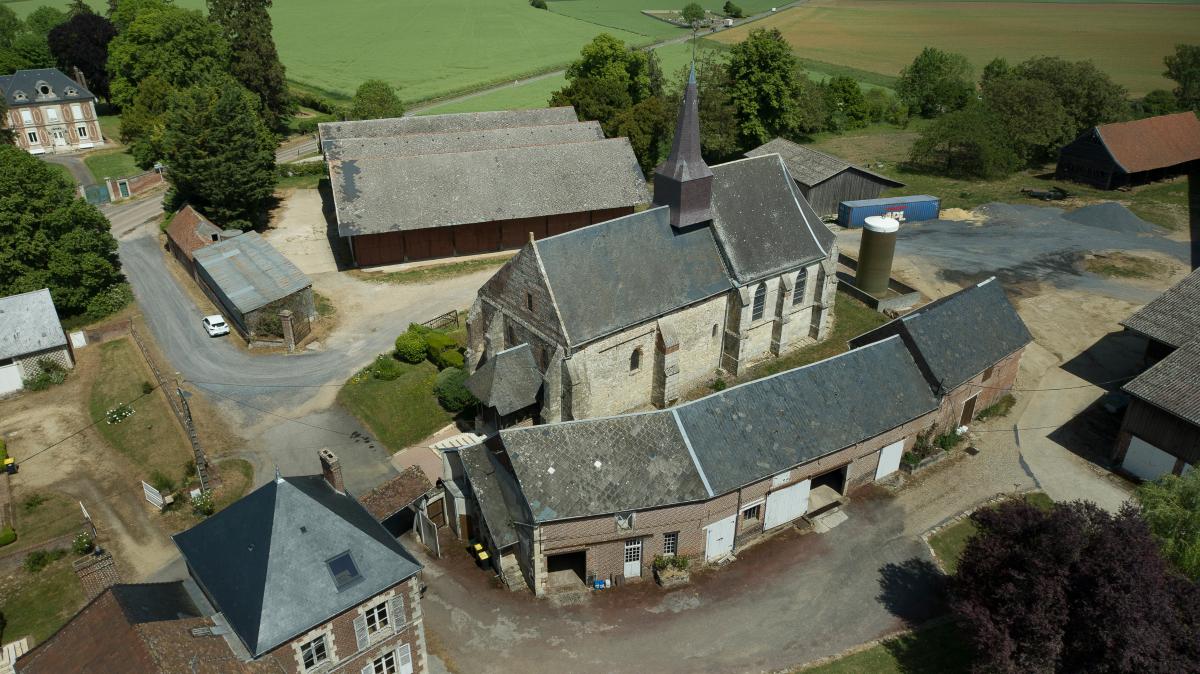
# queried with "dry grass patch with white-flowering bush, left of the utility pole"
point(151, 437)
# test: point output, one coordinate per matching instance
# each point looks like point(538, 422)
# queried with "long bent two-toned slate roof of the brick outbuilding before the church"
point(717, 444)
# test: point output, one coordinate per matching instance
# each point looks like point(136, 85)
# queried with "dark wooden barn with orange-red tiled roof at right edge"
point(1133, 153)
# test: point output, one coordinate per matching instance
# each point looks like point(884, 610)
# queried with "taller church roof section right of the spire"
point(764, 225)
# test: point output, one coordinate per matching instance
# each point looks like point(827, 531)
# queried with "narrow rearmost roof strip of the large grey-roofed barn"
point(445, 124)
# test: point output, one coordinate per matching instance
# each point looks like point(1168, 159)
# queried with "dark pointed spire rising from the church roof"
point(685, 182)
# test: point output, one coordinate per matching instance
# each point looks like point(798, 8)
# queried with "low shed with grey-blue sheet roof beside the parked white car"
point(253, 284)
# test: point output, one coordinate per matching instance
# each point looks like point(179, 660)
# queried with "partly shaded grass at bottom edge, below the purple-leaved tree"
point(938, 649)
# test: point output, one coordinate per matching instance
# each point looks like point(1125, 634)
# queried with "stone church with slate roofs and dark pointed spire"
point(729, 267)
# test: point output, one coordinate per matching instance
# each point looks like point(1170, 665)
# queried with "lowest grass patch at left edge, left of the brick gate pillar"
point(37, 605)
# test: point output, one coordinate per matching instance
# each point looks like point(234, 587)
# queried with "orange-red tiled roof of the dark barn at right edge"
point(1154, 143)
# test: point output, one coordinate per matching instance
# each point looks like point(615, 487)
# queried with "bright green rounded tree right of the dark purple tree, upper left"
point(181, 46)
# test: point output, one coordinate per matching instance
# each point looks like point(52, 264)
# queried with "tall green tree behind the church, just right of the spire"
point(764, 87)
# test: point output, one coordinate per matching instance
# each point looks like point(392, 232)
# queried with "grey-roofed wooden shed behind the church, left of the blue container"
point(826, 180)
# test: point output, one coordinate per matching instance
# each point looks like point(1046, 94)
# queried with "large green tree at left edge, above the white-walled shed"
point(50, 238)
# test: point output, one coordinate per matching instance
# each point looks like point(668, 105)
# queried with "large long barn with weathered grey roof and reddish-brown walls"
point(436, 186)
